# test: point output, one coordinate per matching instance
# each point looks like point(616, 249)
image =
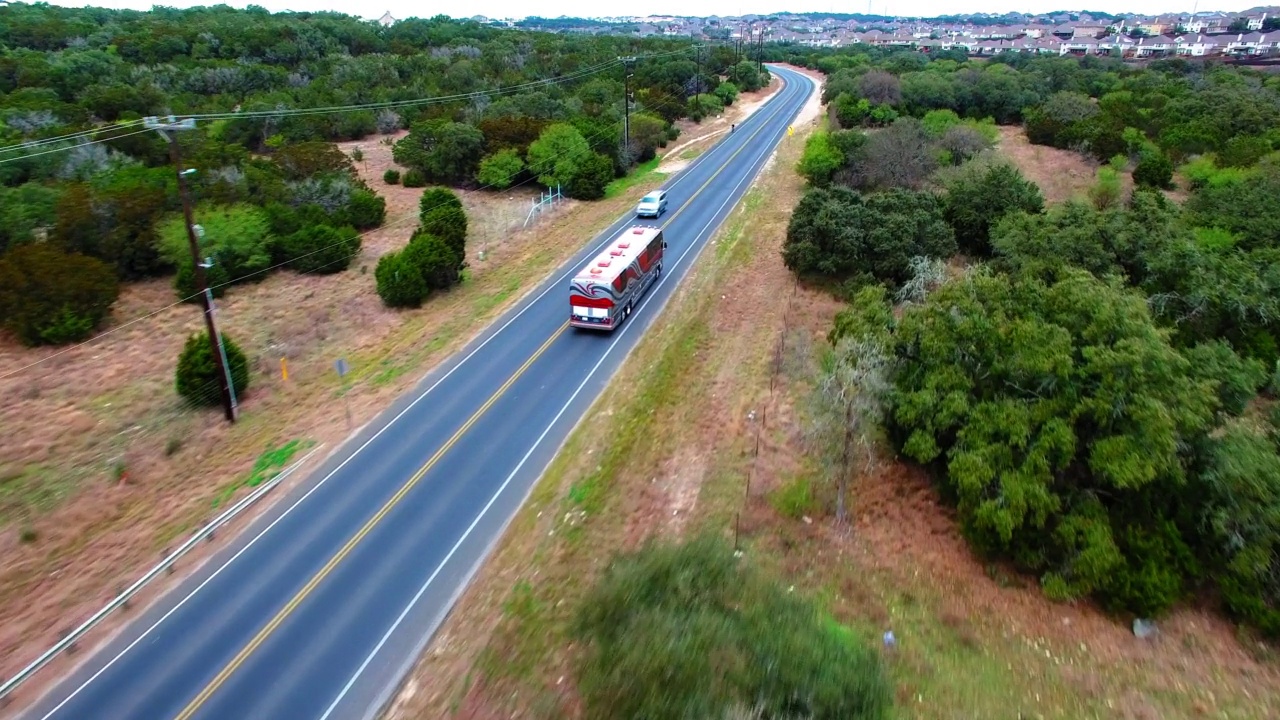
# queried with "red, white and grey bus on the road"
point(606, 291)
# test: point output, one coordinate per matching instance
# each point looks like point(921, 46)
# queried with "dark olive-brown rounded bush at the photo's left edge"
point(53, 298)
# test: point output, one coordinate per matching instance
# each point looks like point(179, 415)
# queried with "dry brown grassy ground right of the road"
point(714, 382)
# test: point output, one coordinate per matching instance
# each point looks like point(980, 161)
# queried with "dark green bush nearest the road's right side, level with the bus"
point(840, 234)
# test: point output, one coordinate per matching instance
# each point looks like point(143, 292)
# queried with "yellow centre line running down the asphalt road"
point(400, 495)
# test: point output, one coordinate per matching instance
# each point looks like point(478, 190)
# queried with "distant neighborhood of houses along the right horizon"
point(1252, 34)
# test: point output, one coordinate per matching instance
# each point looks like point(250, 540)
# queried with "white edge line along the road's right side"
point(534, 449)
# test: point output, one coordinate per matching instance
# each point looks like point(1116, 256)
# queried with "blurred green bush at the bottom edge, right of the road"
point(691, 632)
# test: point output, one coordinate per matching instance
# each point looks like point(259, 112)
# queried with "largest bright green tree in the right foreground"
point(1057, 458)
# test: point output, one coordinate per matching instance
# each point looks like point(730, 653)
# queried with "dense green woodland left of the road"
point(271, 189)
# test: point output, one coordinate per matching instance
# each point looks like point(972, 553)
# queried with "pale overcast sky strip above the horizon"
point(587, 8)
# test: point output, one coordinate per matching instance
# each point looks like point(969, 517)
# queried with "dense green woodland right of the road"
point(1091, 384)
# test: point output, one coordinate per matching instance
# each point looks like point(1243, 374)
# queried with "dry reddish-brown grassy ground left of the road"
point(107, 470)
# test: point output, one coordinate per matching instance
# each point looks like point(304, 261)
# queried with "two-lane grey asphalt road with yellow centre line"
point(321, 608)
